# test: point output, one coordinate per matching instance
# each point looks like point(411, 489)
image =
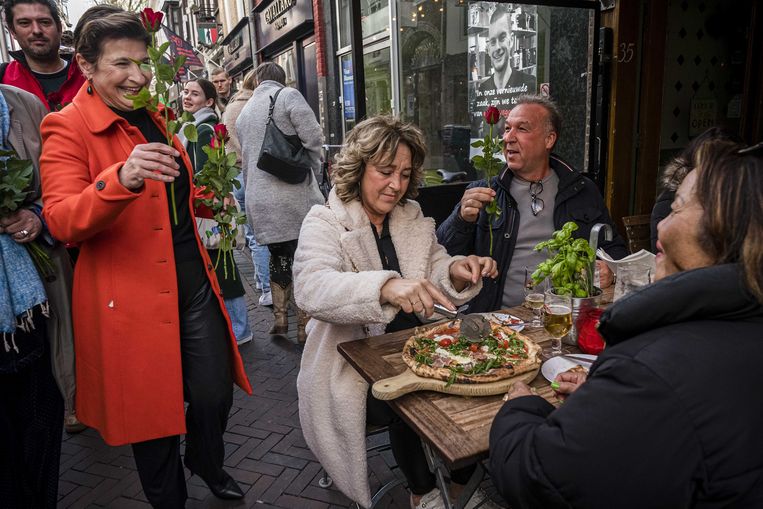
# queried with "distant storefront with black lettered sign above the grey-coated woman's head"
point(285, 35)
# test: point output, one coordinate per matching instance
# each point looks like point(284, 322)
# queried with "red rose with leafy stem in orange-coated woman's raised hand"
point(164, 77)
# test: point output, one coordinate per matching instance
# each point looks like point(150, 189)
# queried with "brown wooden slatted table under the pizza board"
point(454, 429)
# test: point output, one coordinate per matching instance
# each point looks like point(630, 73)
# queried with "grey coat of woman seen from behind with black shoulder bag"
point(274, 208)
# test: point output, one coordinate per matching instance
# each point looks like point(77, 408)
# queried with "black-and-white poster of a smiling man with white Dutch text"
point(503, 58)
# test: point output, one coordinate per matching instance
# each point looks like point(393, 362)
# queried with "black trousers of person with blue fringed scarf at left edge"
point(31, 423)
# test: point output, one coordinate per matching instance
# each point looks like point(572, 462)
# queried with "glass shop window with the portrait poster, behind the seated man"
point(456, 58)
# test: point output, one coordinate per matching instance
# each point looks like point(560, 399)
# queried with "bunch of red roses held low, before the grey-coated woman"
point(218, 179)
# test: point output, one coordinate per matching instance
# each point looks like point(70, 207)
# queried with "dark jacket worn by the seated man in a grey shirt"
point(577, 199)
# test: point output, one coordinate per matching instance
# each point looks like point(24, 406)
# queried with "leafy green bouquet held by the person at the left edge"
point(15, 178)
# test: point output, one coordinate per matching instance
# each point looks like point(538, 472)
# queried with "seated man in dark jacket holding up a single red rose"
point(537, 193)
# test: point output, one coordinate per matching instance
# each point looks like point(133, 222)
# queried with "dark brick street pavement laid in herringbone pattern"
point(265, 450)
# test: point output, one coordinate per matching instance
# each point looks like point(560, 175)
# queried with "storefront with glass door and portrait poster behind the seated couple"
point(441, 63)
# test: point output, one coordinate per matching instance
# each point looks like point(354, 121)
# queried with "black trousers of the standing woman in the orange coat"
point(208, 389)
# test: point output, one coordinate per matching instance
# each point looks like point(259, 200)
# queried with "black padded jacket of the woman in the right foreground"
point(669, 417)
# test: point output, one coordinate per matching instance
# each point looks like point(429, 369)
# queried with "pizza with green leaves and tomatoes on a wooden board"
point(441, 352)
